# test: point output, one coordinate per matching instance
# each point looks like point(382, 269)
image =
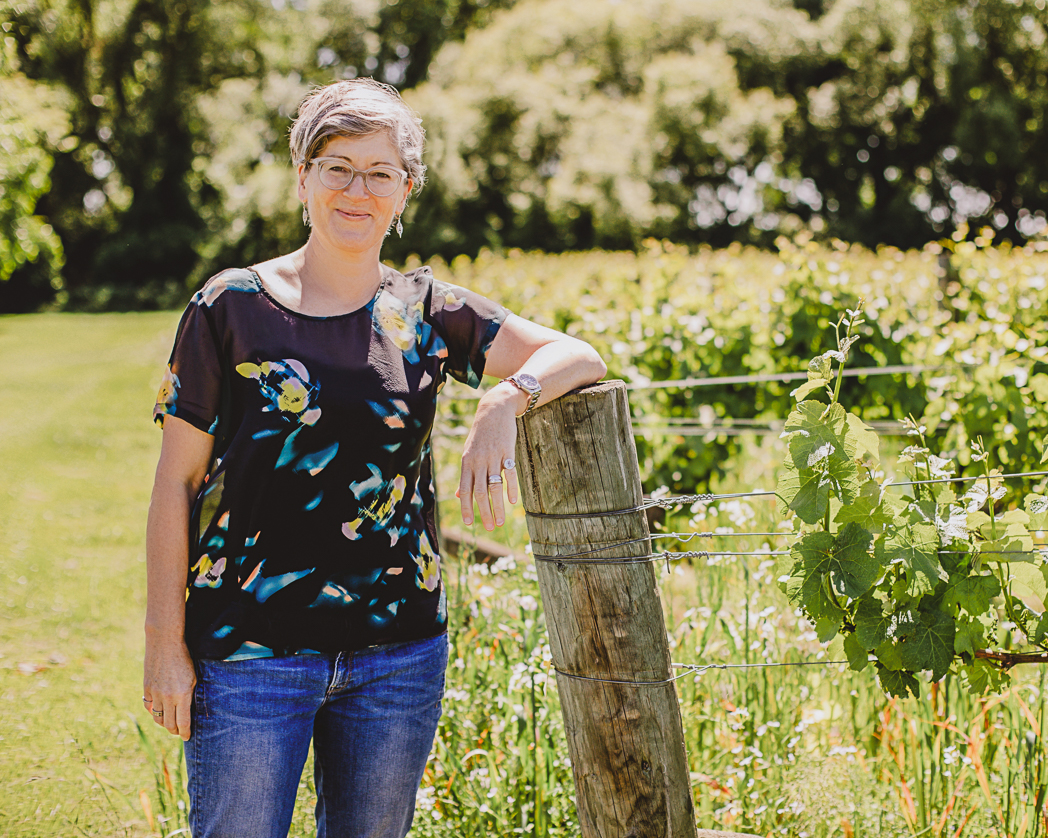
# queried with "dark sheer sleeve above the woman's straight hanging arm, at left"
point(192, 384)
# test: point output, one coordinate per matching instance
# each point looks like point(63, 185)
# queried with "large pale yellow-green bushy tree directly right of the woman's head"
point(597, 125)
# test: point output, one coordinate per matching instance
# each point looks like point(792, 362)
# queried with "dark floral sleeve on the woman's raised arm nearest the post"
point(468, 323)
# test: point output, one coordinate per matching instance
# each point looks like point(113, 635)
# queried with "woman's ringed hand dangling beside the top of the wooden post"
point(491, 445)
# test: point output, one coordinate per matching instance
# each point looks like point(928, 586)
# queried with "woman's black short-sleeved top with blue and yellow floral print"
point(315, 528)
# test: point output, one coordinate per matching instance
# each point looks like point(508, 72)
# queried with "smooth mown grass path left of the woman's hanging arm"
point(77, 455)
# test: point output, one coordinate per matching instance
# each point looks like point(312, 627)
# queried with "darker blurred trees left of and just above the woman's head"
point(174, 160)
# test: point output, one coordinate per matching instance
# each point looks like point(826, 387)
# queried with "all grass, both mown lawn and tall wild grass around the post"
point(804, 752)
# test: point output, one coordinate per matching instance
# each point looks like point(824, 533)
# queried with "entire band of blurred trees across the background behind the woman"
point(143, 143)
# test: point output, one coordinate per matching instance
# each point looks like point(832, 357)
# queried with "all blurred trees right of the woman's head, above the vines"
point(879, 123)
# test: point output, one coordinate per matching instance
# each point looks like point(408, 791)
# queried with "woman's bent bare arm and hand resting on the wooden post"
point(560, 364)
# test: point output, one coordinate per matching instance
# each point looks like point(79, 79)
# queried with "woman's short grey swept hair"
point(355, 108)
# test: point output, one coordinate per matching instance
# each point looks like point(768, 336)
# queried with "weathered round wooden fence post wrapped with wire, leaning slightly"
point(577, 456)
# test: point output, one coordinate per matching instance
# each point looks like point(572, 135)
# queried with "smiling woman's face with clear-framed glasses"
point(353, 220)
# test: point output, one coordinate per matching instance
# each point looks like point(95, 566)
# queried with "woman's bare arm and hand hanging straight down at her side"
point(169, 678)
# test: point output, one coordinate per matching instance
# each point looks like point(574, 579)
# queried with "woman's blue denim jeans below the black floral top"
point(373, 716)
